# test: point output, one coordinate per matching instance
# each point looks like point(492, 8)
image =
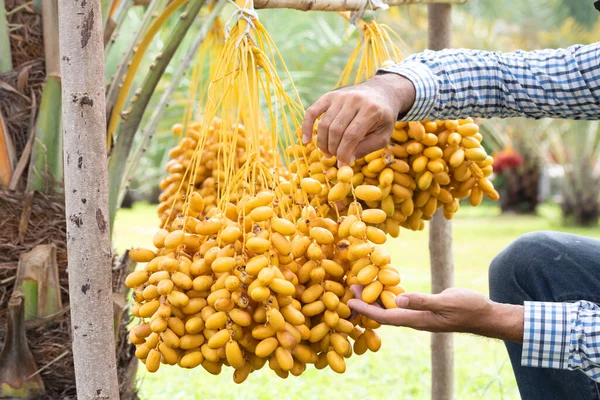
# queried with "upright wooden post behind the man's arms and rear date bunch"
point(440, 239)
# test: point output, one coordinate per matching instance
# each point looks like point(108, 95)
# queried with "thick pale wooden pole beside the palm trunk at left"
point(86, 198)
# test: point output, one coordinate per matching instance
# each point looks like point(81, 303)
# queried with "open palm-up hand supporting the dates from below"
point(453, 310)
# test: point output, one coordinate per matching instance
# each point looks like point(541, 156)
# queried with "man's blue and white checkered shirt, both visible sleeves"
point(561, 83)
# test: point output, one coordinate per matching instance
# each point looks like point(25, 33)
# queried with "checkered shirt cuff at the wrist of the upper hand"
point(426, 88)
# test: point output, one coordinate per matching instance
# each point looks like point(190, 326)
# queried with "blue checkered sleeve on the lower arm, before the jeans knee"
point(562, 336)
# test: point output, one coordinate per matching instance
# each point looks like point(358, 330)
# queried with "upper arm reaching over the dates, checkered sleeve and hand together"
point(456, 83)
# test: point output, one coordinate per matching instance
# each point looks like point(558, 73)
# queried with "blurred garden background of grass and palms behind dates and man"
point(547, 173)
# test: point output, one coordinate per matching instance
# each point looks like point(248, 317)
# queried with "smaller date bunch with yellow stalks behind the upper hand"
point(426, 165)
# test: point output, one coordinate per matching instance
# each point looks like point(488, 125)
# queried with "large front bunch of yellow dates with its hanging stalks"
point(255, 272)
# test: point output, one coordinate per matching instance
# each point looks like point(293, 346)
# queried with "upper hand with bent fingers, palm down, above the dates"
point(358, 120)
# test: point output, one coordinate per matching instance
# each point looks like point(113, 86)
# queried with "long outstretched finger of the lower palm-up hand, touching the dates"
point(394, 316)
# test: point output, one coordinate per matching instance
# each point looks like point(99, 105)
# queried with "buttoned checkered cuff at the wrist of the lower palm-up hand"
point(546, 335)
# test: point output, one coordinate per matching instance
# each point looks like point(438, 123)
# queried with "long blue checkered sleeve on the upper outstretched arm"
point(457, 83)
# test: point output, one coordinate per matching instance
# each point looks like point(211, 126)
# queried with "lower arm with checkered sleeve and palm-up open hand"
point(554, 335)
